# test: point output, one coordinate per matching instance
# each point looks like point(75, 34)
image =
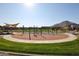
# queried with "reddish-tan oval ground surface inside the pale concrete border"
point(39, 37)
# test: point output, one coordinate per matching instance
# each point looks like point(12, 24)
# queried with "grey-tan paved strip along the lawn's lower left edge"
point(7, 53)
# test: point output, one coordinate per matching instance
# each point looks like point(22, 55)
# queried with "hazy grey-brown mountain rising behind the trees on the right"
point(66, 23)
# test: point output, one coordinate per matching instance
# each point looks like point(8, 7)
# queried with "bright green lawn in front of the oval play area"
point(67, 48)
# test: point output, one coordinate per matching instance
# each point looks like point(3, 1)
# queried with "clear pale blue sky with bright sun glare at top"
point(39, 14)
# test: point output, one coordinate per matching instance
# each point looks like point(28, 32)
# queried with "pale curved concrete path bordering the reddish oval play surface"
point(70, 38)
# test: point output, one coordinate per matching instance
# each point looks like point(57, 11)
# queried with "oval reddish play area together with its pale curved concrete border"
point(45, 38)
